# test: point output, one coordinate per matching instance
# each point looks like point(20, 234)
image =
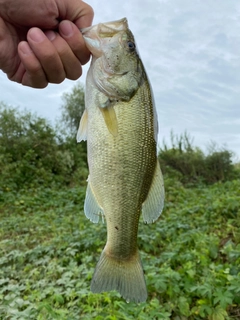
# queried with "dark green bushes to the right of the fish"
point(192, 166)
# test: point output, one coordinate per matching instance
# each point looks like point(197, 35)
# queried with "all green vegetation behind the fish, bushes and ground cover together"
point(48, 248)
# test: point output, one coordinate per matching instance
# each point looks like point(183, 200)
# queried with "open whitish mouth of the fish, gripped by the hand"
point(93, 35)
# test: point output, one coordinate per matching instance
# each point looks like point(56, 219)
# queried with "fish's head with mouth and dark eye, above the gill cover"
point(114, 44)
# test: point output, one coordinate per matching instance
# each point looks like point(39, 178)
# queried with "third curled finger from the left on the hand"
point(70, 62)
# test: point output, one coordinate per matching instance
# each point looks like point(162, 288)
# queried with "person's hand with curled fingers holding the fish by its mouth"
point(40, 41)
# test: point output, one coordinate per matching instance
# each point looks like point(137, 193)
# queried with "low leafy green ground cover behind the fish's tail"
point(191, 256)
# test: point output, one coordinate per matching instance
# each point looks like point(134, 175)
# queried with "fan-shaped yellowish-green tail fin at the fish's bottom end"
point(125, 276)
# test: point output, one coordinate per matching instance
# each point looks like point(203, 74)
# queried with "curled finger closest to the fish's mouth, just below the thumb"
point(72, 35)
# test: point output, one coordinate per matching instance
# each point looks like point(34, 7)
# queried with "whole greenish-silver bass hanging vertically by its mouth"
point(125, 180)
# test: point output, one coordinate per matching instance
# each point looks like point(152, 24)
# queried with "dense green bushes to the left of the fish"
point(31, 153)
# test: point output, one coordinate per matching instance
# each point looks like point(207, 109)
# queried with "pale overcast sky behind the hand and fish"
point(191, 51)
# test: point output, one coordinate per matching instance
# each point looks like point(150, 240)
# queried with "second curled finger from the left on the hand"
point(47, 55)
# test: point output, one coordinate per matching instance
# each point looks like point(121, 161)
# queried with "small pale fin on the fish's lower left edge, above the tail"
point(92, 208)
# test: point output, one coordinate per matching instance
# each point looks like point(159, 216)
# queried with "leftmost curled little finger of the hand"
point(30, 72)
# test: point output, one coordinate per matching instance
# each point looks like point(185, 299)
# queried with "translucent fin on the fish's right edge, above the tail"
point(153, 205)
